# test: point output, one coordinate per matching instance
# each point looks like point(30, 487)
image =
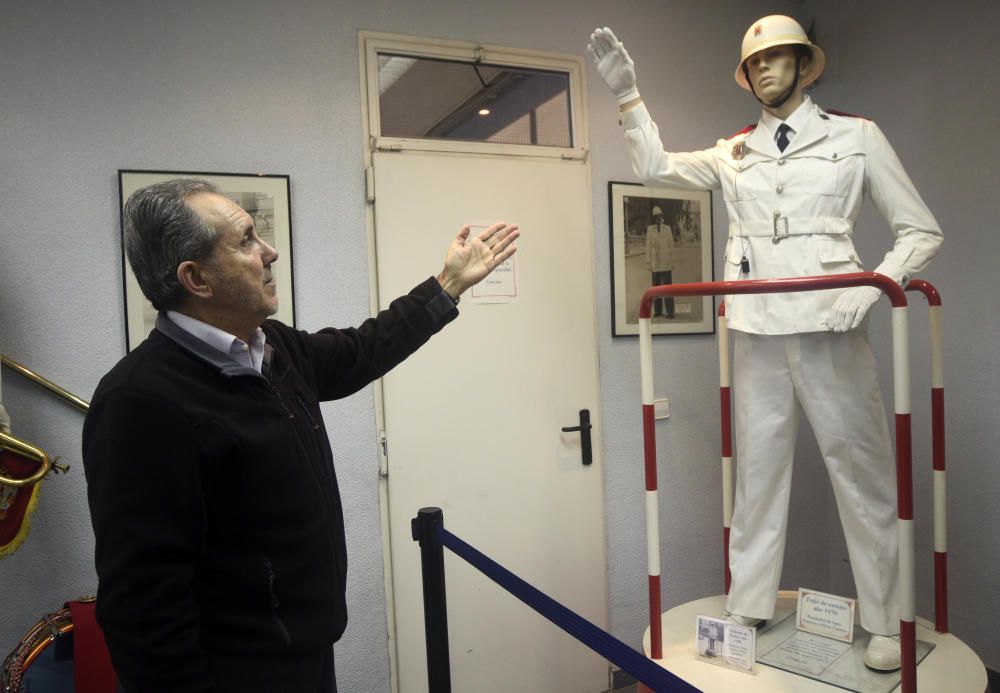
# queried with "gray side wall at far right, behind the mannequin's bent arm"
point(928, 77)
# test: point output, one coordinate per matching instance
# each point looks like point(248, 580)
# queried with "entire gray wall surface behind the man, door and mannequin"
point(89, 88)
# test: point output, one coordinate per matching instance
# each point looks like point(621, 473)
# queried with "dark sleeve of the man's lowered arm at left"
point(148, 509)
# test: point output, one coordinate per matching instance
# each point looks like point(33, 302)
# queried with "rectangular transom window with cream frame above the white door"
point(450, 96)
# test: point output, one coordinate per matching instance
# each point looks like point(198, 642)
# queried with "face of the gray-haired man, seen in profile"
point(239, 268)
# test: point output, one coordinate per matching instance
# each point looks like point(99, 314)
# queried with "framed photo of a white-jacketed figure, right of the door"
point(660, 236)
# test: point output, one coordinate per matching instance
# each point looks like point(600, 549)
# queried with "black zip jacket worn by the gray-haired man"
point(219, 526)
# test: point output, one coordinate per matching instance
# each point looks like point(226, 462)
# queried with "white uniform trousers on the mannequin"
point(832, 377)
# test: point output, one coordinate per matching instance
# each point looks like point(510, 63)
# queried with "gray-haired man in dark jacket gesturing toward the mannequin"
point(220, 532)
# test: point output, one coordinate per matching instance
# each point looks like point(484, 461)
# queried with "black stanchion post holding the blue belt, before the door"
point(424, 528)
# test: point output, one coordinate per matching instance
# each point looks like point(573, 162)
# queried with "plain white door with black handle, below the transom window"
point(473, 420)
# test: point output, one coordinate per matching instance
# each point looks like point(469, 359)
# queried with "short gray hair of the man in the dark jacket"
point(162, 231)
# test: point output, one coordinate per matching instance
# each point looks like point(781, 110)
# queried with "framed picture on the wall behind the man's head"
point(264, 197)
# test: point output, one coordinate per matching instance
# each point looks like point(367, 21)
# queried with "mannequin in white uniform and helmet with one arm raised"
point(793, 185)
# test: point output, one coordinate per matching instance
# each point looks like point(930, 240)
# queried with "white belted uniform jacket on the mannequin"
point(792, 214)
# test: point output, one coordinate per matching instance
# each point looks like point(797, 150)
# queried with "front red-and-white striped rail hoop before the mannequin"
point(904, 476)
